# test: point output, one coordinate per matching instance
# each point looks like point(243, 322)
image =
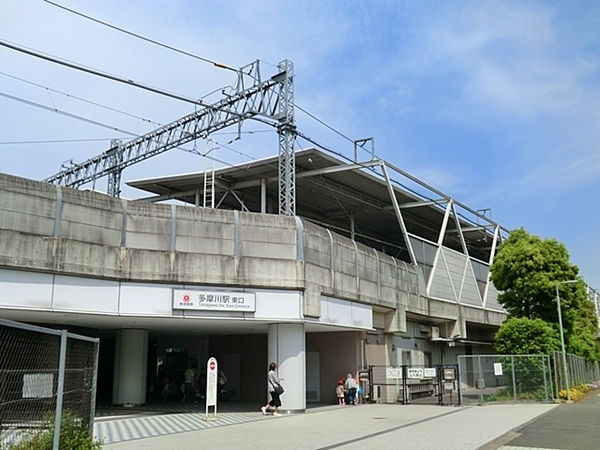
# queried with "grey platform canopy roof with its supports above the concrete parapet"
point(350, 198)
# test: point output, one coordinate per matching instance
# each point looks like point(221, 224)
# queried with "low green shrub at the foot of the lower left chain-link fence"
point(74, 435)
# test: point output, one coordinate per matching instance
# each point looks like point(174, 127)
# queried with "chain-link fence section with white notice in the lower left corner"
point(44, 372)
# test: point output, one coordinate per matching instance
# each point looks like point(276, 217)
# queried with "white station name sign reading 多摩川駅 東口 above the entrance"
point(214, 300)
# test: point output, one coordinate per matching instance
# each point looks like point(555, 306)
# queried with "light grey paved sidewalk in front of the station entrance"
point(352, 428)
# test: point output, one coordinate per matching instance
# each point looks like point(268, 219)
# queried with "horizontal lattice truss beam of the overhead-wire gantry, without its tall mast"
point(260, 101)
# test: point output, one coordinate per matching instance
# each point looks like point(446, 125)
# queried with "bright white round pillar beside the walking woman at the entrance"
point(287, 348)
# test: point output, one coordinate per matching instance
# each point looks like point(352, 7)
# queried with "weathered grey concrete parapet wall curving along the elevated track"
point(59, 230)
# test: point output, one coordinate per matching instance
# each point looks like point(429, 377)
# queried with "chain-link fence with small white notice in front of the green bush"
point(505, 378)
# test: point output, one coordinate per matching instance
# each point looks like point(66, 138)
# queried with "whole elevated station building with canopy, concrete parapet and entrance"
point(375, 268)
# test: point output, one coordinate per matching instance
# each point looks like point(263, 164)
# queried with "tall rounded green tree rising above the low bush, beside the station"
point(526, 271)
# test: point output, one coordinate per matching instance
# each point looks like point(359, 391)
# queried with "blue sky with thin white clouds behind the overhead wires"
point(496, 103)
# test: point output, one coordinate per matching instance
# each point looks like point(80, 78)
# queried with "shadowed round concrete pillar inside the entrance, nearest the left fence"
point(131, 360)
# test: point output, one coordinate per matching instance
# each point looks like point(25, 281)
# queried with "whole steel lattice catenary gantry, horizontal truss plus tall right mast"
point(270, 101)
